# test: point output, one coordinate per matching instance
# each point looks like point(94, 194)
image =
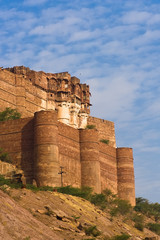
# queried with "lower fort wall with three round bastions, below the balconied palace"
point(39, 145)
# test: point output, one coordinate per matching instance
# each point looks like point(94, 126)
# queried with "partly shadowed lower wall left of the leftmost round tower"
point(16, 138)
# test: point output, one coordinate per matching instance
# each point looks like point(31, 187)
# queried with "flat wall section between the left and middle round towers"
point(69, 153)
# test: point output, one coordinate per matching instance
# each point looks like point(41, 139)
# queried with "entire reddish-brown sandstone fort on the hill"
point(52, 133)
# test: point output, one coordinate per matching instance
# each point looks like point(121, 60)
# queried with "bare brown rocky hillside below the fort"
point(28, 215)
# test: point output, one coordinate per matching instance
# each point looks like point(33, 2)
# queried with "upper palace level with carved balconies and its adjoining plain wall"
point(29, 91)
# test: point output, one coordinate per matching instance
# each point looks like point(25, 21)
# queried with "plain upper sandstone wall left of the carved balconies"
point(20, 93)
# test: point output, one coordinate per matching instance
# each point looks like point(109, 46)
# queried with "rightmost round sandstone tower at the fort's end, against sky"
point(125, 174)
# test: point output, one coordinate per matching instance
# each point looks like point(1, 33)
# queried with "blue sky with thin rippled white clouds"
point(114, 46)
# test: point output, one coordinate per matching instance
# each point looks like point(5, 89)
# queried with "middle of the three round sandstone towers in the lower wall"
point(90, 165)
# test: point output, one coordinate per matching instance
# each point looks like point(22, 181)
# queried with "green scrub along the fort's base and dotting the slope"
point(109, 203)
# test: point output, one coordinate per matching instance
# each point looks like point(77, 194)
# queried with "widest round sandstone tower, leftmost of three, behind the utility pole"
point(46, 154)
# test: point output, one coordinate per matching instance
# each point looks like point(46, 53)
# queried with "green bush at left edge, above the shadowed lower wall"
point(9, 114)
